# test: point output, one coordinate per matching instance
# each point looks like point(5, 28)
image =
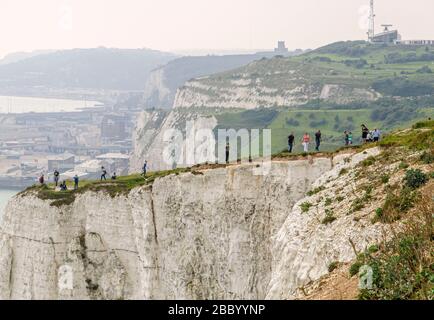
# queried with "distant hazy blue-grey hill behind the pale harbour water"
point(100, 68)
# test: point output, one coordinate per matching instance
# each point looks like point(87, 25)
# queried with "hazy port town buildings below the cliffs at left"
point(74, 143)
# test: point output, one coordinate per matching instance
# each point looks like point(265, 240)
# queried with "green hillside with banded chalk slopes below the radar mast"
point(341, 73)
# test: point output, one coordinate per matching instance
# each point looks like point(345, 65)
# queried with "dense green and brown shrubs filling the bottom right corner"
point(403, 268)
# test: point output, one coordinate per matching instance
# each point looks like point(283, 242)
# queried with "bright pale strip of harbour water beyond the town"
point(10, 104)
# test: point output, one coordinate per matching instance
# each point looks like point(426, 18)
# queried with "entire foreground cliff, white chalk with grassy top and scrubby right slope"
point(305, 229)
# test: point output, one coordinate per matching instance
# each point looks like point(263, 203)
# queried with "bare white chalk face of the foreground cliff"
point(219, 234)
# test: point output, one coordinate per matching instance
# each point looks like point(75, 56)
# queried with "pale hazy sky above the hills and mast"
point(175, 25)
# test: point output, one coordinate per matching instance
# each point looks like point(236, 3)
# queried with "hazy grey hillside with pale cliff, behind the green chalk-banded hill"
point(163, 83)
